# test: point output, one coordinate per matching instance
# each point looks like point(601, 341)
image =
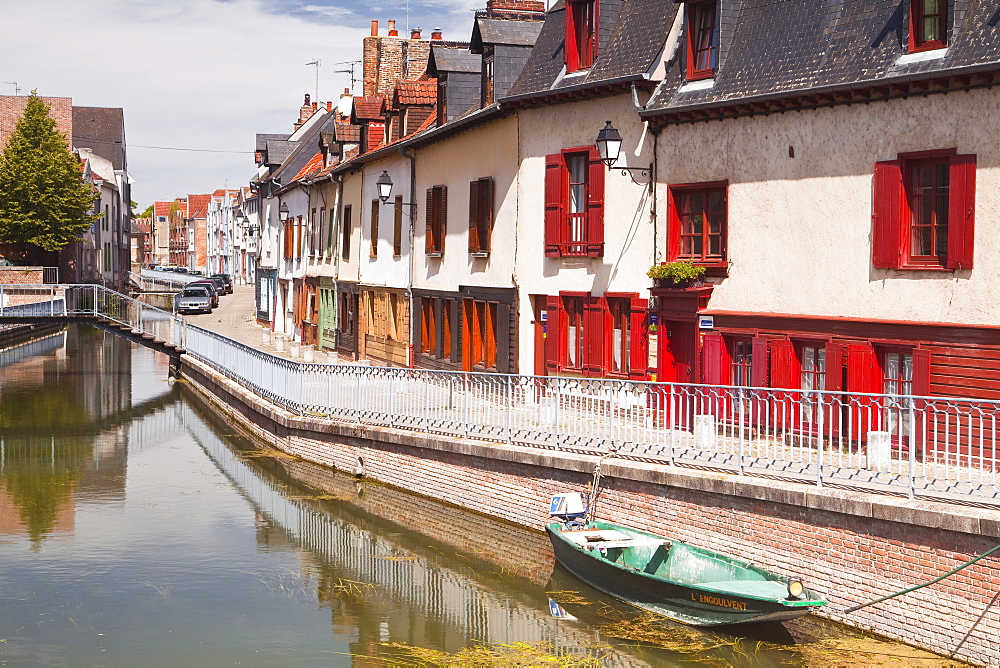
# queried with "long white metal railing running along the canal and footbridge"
point(922, 446)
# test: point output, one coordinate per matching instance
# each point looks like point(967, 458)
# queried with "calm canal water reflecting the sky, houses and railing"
point(136, 528)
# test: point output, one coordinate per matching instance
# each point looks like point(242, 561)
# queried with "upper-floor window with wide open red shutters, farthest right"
point(923, 207)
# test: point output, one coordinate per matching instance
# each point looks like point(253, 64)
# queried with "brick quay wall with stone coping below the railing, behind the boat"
point(851, 546)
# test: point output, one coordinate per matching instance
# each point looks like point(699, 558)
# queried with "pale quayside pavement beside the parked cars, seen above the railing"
point(235, 318)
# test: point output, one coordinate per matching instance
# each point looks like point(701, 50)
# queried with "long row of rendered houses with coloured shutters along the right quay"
point(831, 166)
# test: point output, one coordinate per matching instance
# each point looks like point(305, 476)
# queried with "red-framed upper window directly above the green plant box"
point(696, 217)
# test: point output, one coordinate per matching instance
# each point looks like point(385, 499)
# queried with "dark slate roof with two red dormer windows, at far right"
point(801, 46)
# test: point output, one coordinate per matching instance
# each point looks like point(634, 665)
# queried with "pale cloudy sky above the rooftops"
point(200, 74)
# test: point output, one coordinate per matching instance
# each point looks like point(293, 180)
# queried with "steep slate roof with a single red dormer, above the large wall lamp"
point(632, 34)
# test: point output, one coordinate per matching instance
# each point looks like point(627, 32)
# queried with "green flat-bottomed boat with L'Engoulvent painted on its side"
point(679, 581)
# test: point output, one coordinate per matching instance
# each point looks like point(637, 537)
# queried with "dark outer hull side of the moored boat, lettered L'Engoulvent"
point(689, 604)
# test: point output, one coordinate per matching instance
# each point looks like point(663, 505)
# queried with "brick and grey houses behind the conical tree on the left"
point(97, 136)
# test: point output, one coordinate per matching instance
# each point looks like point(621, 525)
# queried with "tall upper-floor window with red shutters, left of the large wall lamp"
point(574, 203)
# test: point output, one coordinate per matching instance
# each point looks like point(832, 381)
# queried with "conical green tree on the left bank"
point(43, 199)
